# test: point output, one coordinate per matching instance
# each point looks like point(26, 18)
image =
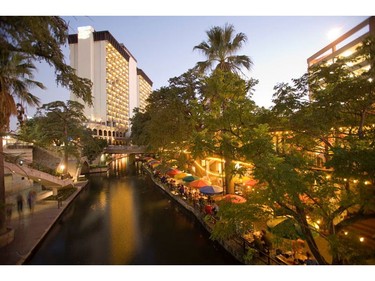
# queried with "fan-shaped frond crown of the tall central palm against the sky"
point(221, 48)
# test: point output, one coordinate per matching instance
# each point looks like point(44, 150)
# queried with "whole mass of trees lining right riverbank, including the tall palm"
point(311, 153)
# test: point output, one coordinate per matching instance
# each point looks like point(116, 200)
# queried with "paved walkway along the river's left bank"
point(30, 228)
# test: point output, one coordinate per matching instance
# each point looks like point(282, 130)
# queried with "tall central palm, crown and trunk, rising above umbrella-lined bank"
point(220, 50)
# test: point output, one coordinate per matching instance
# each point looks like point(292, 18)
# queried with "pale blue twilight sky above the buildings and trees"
point(162, 43)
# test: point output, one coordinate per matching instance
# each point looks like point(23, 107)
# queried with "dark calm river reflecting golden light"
point(122, 219)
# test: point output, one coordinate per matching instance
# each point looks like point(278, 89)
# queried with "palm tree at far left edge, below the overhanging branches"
point(16, 74)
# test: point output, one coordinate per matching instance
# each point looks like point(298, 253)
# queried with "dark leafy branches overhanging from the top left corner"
point(40, 39)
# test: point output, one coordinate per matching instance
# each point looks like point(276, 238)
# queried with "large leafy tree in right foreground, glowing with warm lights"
point(337, 123)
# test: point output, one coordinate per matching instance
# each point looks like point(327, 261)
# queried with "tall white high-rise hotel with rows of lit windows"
point(118, 85)
